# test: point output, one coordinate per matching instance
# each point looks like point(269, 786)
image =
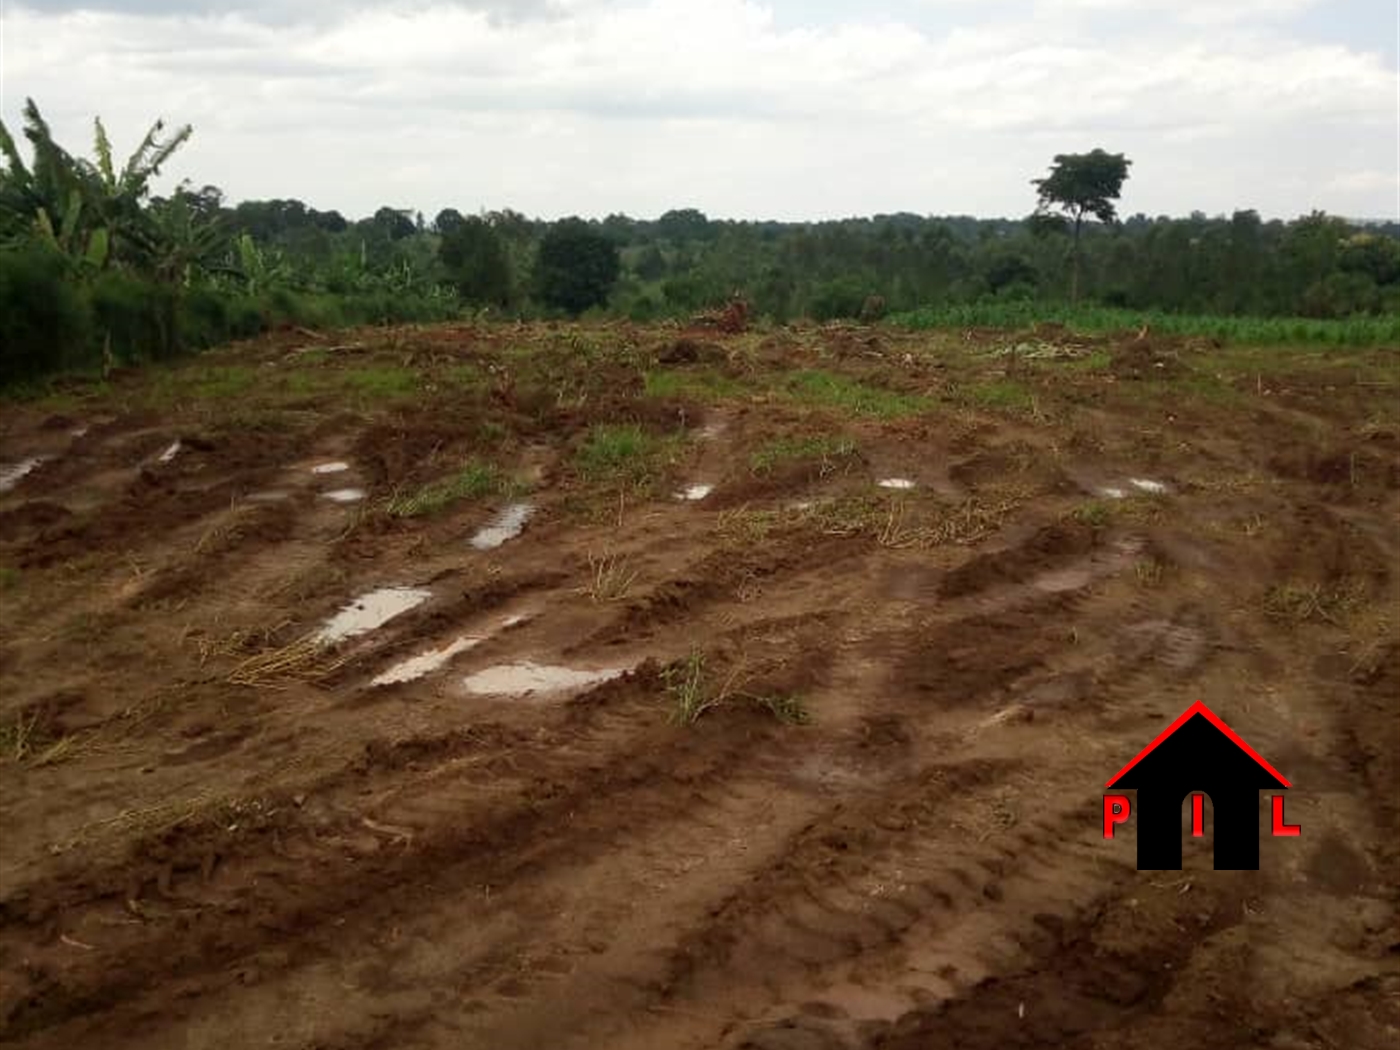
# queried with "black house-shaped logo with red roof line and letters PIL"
point(1198, 755)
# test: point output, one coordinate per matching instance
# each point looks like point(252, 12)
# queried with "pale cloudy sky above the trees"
point(744, 108)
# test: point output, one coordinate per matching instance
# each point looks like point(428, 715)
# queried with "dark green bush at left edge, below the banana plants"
point(44, 323)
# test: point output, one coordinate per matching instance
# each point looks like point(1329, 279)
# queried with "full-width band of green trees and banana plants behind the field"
point(96, 268)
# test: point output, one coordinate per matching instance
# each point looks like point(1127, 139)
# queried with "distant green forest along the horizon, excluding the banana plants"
point(1317, 267)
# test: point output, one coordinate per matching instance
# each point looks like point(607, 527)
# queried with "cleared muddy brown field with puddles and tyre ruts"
point(807, 762)
